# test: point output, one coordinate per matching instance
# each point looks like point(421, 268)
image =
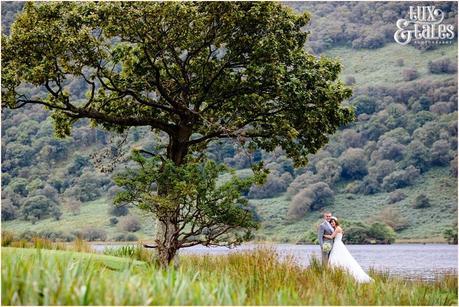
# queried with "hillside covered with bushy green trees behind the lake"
point(392, 174)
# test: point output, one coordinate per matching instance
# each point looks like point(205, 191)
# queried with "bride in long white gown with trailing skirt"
point(340, 256)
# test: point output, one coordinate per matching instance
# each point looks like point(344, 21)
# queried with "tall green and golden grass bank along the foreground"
point(50, 277)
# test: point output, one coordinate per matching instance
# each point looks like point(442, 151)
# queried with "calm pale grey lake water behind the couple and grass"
point(408, 260)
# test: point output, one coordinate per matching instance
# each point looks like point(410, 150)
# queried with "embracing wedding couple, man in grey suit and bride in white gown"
point(334, 252)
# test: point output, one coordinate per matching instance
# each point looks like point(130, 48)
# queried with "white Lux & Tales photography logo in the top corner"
point(424, 26)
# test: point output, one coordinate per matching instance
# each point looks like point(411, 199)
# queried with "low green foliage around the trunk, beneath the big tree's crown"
point(215, 213)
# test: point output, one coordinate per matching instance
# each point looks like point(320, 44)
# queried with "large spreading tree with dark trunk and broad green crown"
point(196, 71)
